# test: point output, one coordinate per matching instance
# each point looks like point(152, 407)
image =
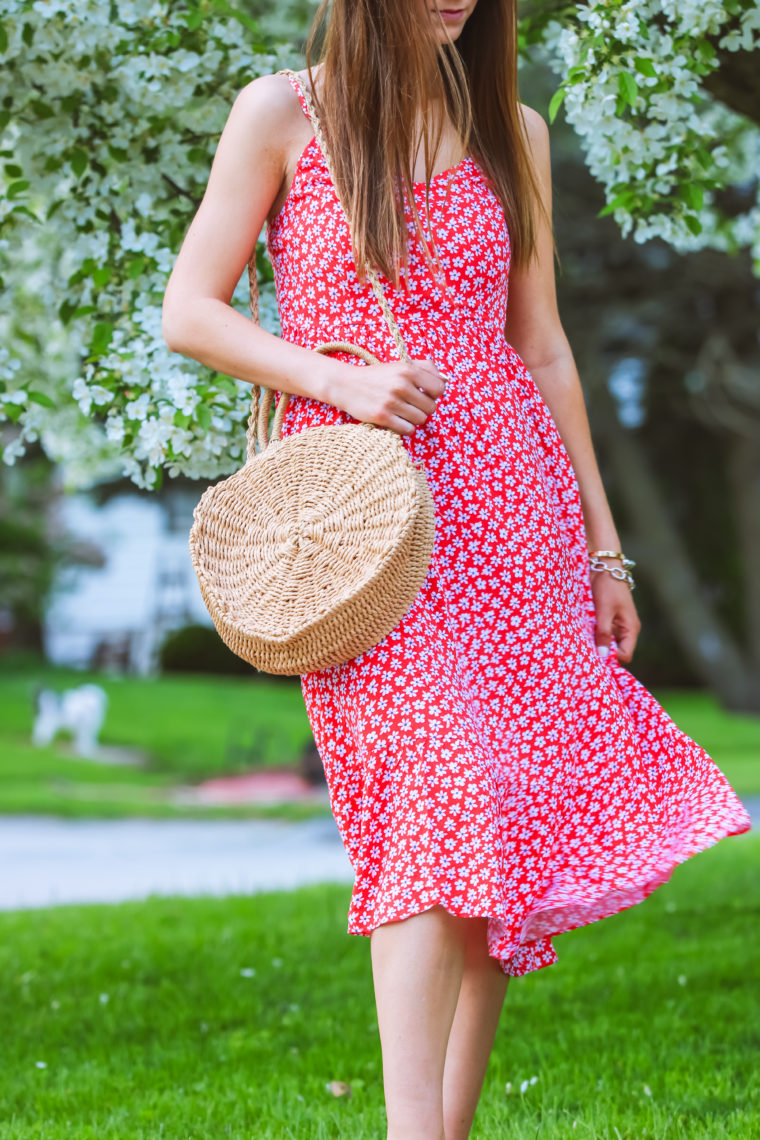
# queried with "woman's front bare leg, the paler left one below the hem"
point(418, 967)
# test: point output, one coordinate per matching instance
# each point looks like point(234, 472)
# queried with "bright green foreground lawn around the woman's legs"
point(189, 1020)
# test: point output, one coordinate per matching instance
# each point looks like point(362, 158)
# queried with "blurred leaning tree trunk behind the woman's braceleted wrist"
point(664, 558)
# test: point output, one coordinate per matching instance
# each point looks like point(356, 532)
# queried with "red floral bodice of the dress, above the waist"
point(321, 297)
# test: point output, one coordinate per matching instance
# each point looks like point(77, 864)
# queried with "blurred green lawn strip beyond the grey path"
point(190, 728)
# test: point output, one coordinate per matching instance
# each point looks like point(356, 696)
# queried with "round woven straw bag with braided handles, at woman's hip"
point(316, 549)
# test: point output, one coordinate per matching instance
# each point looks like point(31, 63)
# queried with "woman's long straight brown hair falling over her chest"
point(382, 75)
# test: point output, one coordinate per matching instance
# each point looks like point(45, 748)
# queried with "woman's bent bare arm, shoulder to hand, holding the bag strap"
point(249, 175)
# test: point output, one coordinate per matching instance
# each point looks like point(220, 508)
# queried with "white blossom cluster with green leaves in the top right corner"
point(632, 82)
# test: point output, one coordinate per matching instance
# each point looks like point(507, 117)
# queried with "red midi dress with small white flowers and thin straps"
point(483, 758)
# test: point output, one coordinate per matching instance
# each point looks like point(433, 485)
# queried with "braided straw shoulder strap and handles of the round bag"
point(263, 397)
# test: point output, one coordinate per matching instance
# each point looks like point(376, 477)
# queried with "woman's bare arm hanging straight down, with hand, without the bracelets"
point(535, 330)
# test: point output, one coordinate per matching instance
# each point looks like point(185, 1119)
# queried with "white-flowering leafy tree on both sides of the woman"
point(110, 112)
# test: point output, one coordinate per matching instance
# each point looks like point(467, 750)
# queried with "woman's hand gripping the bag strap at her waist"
point(398, 396)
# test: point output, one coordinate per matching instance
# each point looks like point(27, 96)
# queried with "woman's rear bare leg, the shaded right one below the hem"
point(481, 998)
